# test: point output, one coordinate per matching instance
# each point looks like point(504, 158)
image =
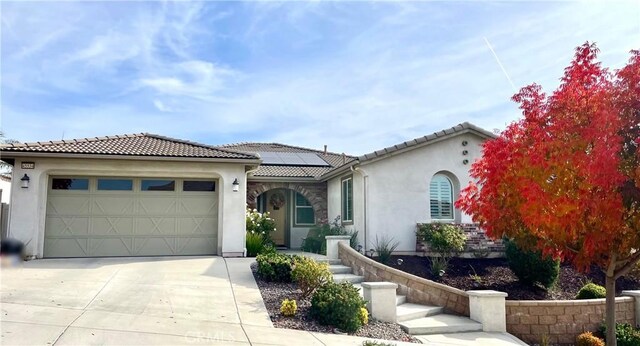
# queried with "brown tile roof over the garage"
point(141, 144)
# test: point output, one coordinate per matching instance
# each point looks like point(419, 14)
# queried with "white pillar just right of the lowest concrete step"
point(488, 307)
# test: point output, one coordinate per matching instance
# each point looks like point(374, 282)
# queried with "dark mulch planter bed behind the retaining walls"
point(496, 275)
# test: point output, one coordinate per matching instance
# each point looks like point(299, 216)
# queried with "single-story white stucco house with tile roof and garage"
point(144, 194)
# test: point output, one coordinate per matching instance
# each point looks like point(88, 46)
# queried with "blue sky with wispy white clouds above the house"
point(357, 76)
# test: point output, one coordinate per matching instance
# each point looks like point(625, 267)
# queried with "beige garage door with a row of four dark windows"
point(100, 216)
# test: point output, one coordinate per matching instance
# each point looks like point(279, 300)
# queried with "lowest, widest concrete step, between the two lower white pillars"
point(440, 324)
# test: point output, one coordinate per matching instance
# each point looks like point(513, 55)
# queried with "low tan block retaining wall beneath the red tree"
point(562, 320)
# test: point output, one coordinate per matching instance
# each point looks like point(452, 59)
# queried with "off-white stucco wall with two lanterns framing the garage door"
point(28, 206)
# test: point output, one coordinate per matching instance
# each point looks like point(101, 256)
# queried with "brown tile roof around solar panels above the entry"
point(333, 159)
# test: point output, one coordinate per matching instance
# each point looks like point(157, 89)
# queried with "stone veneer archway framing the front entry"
point(316, 193)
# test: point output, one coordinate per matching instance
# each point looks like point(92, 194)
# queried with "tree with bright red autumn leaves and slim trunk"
point(565, 179)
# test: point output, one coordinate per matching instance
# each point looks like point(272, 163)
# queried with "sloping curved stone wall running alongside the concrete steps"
point(418, 290)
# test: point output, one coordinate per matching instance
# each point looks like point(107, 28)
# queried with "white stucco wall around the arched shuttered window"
point(398, 188)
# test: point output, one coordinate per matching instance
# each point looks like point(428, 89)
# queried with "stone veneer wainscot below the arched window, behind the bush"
point(478, 245)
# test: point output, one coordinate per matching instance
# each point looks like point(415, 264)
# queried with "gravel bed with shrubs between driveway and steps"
point(273, 293)
